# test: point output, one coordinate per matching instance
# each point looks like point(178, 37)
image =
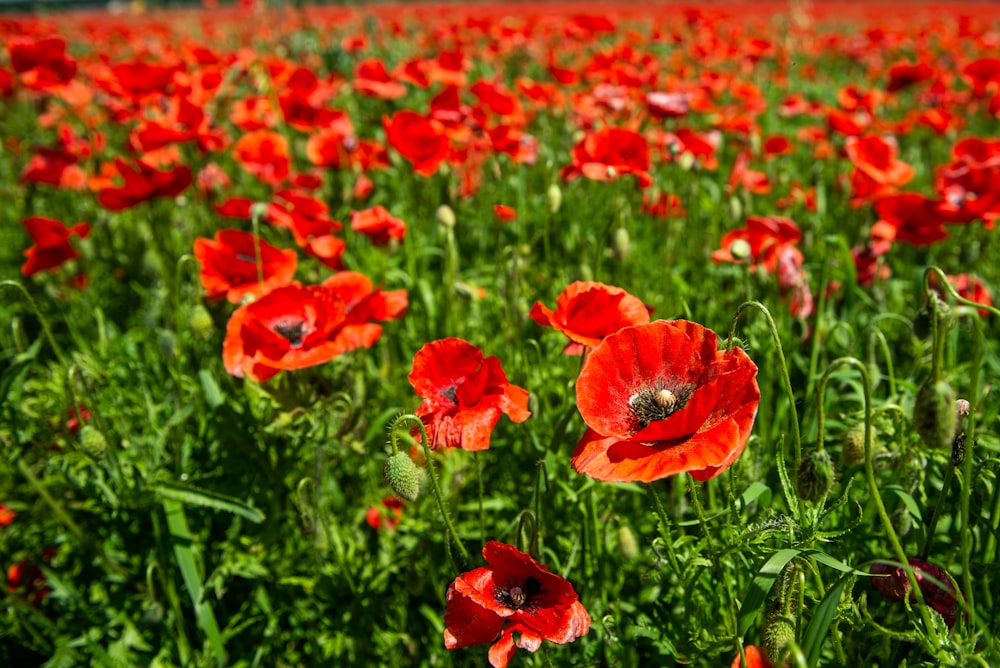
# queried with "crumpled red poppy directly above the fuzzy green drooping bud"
point(464, 394)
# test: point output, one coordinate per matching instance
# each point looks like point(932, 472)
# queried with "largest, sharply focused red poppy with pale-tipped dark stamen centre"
point(661, 399)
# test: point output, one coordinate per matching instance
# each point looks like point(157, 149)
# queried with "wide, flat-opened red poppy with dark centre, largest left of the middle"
point(295, 326)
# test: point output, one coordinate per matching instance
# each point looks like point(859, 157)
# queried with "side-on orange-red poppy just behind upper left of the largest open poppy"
point(588, 311)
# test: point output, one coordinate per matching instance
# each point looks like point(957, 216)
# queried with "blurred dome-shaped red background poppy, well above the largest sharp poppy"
point(609, 153)
